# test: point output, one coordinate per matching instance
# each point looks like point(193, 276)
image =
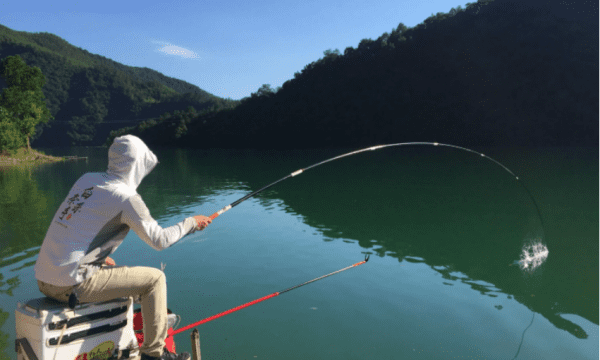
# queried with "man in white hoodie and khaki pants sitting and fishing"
point(92, 222)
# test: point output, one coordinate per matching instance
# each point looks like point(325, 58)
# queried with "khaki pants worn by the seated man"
point(114, 282)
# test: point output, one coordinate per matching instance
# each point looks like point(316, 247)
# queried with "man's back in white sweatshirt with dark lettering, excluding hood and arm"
point(87, 227)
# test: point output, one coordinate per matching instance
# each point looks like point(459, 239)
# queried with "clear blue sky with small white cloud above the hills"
point(226, 47)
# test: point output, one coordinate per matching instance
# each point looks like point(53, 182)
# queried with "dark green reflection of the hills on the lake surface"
point(449, 210)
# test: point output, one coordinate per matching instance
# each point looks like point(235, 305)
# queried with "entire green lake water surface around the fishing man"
point(444, 229)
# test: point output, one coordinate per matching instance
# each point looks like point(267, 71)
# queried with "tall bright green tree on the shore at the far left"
point(23, 99)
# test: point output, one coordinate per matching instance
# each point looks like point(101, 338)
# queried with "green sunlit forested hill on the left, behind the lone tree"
point(90, 95)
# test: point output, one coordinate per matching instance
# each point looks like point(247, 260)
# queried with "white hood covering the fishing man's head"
point(130, 160)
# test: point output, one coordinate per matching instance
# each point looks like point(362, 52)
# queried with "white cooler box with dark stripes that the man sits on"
point(94, 331)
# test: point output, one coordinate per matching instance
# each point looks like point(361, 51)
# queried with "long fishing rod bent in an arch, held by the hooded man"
point(372, 148)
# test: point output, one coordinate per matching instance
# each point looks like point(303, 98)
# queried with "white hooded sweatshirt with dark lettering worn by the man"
point(97, 215)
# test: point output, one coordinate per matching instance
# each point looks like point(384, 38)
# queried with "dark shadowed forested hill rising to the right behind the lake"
point(495, 73)
